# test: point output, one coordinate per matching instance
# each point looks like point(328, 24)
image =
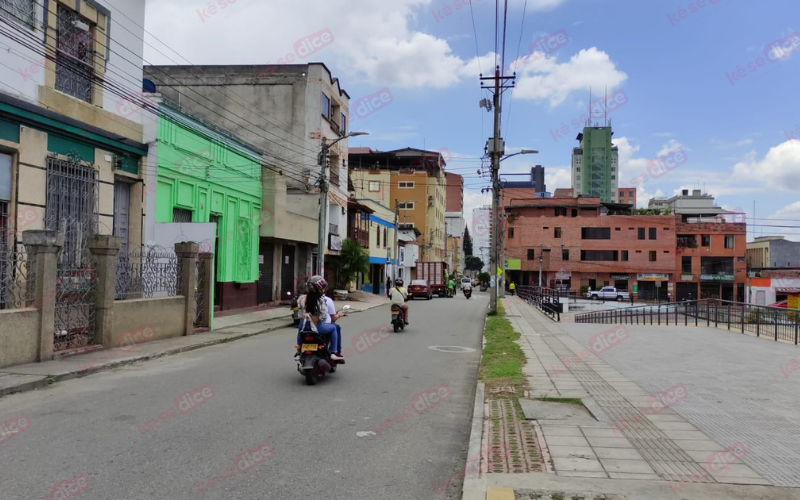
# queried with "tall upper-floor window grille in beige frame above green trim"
point(74, 54)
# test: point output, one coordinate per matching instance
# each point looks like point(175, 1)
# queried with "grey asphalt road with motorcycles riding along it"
point(324, 441)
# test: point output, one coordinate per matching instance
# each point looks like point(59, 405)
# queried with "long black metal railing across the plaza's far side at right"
point(773, 322)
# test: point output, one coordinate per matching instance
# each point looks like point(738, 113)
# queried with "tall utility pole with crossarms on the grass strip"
point(496, 150)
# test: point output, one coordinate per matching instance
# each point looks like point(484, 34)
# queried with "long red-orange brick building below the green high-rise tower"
point(577, 245)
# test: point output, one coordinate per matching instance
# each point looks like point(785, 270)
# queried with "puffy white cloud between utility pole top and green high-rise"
point(546, 79)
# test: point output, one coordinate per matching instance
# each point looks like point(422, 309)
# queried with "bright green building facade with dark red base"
point(206, 175)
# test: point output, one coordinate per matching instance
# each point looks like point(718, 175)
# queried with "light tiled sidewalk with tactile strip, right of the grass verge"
point(622, 443)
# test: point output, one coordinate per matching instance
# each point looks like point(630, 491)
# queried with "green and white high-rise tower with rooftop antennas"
point(595, 164)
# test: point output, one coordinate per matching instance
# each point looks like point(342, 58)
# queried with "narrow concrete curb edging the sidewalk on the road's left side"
point(43, 382)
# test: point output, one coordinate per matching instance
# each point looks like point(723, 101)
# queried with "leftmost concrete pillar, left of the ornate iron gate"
point(43, 248)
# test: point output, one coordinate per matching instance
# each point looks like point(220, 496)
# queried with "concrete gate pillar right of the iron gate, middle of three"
point(105, 249)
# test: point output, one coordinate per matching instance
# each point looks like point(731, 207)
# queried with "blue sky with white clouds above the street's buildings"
point(694, 78)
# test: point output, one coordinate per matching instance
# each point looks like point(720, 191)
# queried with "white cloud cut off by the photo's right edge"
point(779, 169)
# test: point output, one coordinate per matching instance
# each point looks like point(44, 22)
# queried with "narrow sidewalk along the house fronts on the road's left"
point(32, 376)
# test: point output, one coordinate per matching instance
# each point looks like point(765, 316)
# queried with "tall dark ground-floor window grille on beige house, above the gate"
point(72, 205)
